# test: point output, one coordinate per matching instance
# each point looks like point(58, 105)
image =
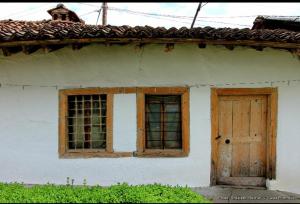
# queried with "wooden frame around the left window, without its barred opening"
point(63, 150)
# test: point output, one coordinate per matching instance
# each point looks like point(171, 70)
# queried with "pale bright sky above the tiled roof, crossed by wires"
point(234, 15)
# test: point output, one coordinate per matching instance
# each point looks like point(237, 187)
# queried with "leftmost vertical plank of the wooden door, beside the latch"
point(225, 132)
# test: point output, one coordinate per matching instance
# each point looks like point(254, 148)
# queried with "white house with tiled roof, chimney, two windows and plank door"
point(109, 104)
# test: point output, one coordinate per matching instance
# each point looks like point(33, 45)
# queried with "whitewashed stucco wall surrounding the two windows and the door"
point(29, 114)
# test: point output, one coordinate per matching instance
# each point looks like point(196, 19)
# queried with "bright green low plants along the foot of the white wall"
point(16, 193)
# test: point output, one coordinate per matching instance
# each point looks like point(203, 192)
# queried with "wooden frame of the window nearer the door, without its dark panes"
point(141, 150)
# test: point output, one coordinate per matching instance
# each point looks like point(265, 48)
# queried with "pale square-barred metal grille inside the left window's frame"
point(86, 121)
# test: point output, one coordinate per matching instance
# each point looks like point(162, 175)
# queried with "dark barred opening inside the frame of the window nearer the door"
point(163, 122)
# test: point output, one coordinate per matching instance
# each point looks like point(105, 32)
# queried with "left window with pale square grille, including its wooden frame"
point(85, 123)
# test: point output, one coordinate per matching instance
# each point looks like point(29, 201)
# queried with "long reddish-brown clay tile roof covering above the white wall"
point(47, 29)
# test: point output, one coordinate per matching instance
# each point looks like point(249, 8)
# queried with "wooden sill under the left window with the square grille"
point(91, 154)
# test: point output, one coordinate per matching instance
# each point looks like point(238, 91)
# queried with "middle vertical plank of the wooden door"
point(241, 130)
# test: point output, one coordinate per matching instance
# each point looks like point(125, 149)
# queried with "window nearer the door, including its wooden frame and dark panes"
point(163, 118)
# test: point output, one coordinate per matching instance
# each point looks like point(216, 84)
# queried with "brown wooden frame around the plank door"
point(272, 97)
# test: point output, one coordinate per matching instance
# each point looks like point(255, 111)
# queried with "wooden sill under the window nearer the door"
point(161, 153)
